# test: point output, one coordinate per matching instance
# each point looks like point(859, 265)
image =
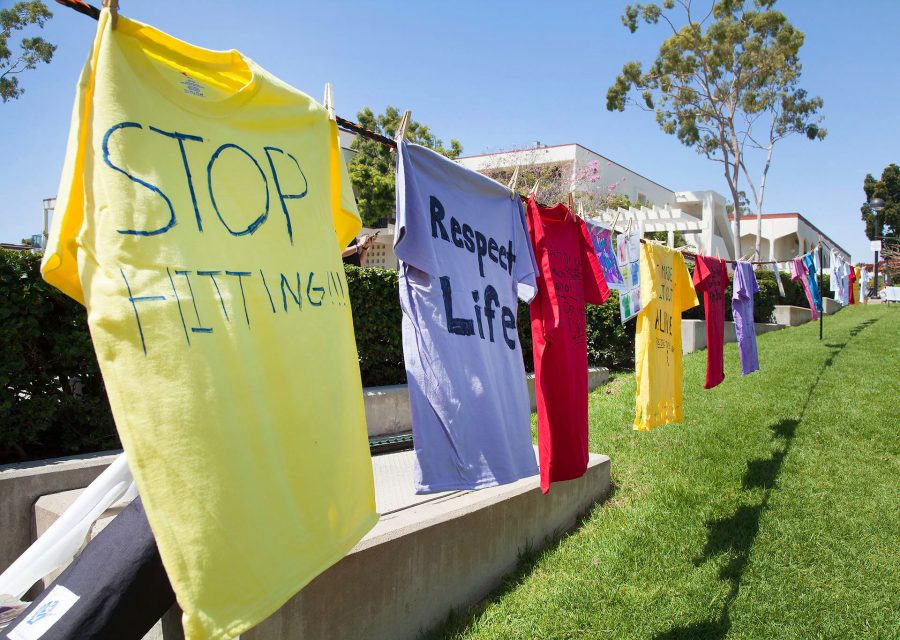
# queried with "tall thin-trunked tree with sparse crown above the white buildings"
point(724, 84)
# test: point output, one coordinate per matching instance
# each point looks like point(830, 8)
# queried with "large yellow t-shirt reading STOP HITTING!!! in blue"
point(201, 216)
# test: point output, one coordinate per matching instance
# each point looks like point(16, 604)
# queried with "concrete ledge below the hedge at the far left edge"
point(21, 484)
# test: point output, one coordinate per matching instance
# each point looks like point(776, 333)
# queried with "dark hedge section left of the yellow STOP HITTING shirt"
point(52, 397)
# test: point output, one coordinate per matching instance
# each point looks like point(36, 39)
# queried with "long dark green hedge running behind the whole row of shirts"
point(53, 401)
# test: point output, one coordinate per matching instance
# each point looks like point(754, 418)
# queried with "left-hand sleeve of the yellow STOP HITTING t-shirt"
point(59, 266)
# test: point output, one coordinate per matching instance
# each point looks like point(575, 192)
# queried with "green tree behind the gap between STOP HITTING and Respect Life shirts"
point(372, 169)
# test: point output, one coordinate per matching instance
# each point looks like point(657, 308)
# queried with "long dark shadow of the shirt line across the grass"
point(735, 534)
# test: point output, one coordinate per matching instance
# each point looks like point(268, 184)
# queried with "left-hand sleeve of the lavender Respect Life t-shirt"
point(412, 239)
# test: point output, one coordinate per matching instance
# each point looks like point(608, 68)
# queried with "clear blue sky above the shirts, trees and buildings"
point(497, 75)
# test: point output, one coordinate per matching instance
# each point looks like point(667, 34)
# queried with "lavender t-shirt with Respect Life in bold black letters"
point(465, 258)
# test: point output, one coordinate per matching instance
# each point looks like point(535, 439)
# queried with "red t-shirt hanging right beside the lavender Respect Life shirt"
point(568, 277)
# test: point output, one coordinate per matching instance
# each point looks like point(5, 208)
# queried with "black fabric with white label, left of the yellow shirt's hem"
point(120, 581)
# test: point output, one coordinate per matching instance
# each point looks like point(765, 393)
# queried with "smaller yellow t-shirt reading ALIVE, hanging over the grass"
point(666, 291)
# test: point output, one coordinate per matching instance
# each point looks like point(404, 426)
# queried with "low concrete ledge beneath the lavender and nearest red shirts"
point(420, 563)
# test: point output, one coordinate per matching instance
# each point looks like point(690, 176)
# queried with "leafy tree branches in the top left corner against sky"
point(33, 50)
